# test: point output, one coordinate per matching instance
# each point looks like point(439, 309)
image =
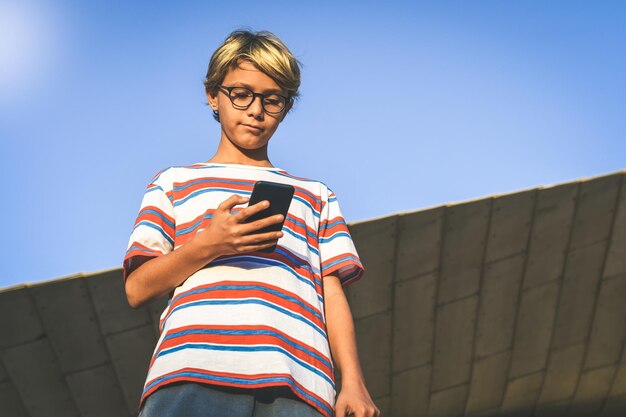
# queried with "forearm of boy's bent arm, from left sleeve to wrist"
point(162, 274)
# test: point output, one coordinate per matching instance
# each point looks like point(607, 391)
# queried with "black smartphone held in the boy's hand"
point(280, 196)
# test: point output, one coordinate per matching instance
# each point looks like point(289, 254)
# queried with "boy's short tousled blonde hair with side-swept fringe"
point(264, 50)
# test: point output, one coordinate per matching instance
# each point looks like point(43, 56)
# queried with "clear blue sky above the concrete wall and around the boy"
point(405, 105)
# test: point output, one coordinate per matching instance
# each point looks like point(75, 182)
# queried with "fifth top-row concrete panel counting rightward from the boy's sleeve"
point(550, 233)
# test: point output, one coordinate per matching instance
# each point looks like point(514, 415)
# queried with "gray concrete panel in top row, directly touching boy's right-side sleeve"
point(375, 243)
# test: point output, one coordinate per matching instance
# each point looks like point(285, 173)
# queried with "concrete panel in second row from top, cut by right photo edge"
point(609, 324)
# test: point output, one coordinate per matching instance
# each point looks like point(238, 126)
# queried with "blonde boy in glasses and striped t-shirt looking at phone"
point(246, 333)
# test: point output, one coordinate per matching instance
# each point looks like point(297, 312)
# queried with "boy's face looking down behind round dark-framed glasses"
point(249, 128)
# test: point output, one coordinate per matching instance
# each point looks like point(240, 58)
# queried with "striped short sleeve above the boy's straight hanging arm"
point(337, 251)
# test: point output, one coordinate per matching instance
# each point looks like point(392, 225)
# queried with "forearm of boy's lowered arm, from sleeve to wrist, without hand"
point(341, 335)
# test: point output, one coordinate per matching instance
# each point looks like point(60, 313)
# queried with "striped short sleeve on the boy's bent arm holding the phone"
point(155, 227)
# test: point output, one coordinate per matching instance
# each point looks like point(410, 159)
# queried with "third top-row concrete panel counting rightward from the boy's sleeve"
point(465, 233)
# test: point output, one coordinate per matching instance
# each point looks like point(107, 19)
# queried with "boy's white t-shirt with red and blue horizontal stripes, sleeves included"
point(247, 320)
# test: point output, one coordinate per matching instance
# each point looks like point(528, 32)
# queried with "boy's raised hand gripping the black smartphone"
point(227, 233)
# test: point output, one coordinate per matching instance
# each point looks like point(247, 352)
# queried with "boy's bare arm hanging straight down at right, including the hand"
point(340, 326)
